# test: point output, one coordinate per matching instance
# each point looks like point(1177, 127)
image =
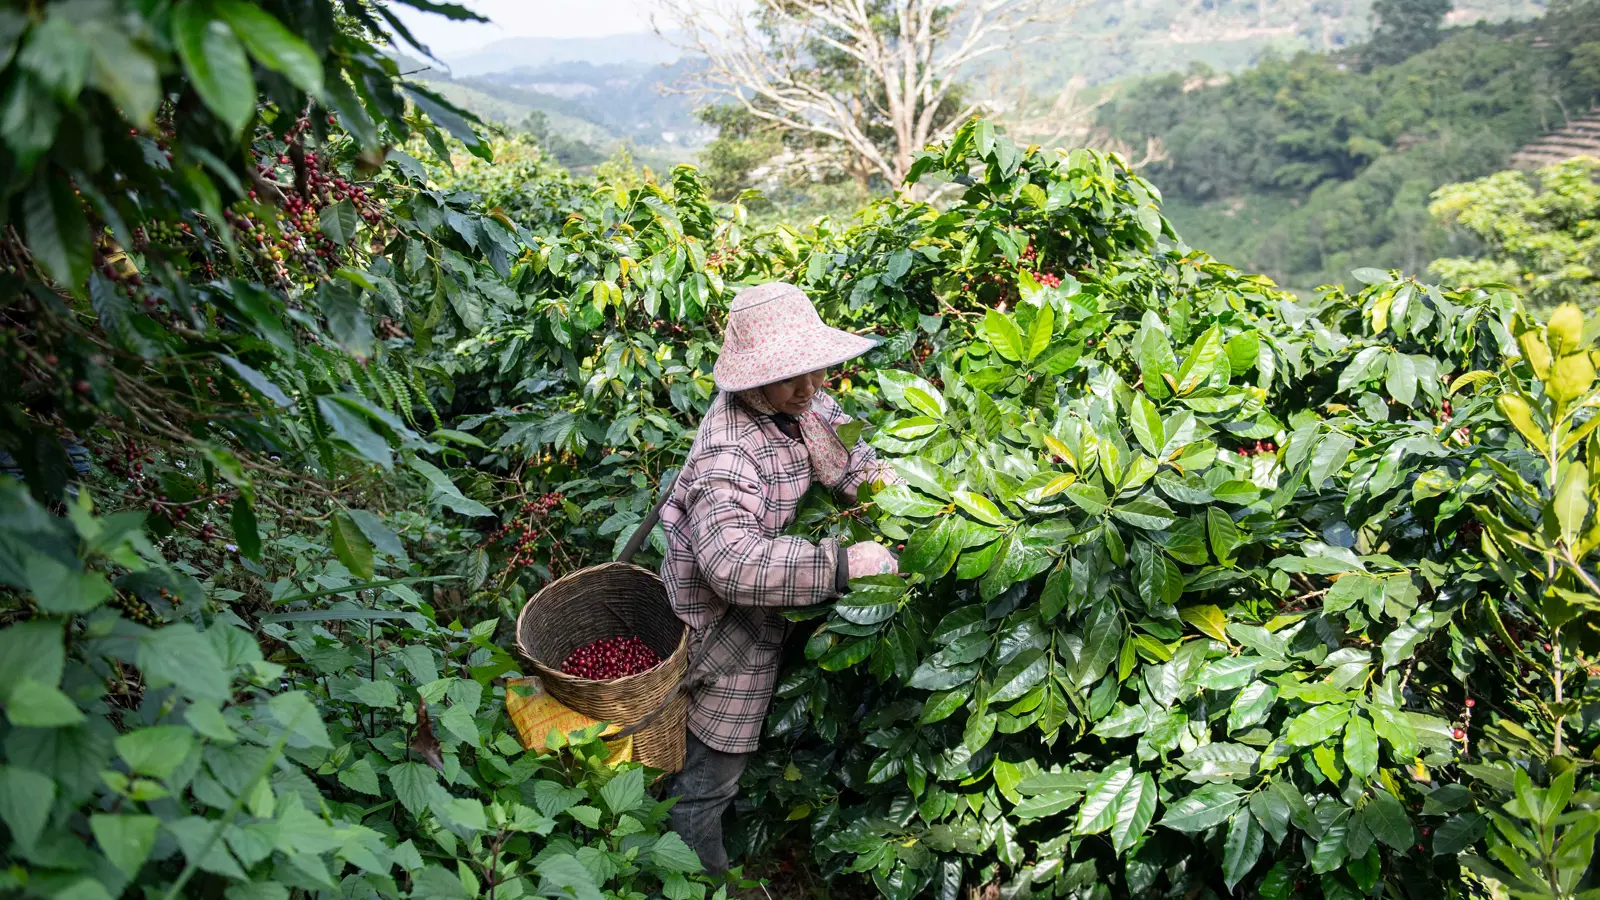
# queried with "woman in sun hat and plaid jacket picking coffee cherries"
point(767, 438)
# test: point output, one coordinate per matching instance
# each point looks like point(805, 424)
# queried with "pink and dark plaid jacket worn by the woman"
point(727, 556)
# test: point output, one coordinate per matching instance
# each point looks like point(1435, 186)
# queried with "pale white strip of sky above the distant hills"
point(527, 18)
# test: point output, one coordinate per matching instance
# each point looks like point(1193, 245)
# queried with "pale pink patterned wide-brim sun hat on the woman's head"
point(775, 334)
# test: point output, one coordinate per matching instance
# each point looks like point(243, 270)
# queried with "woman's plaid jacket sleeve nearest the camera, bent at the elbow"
point(743, 566)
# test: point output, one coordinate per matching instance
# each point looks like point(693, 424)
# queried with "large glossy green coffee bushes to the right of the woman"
point(1206, 589)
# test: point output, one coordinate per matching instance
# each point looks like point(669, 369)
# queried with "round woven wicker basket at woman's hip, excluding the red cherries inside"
point(615, 600)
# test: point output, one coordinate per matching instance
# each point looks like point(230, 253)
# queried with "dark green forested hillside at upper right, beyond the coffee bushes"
point(1308, 166)
